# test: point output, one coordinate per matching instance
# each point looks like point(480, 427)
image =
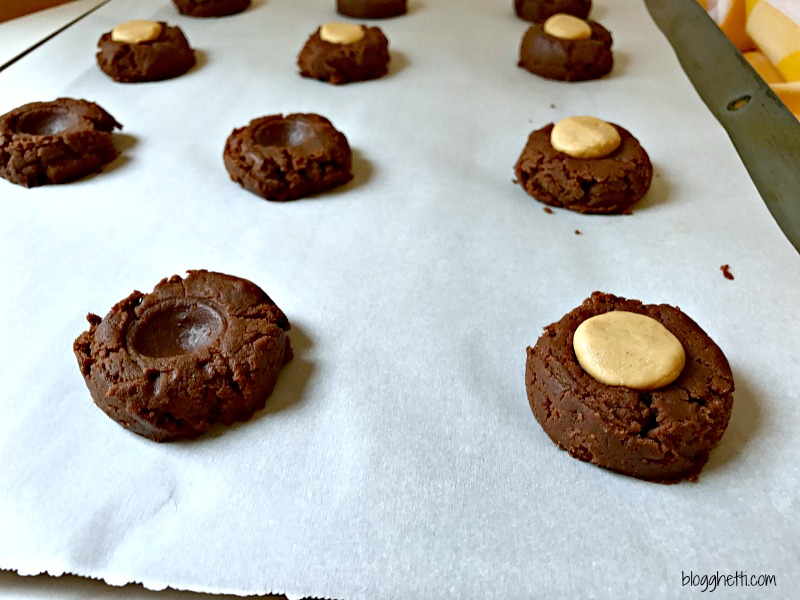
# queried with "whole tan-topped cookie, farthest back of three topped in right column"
point(566, 48)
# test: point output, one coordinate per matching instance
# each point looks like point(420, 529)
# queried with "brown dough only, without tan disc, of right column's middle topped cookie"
point(599, 185)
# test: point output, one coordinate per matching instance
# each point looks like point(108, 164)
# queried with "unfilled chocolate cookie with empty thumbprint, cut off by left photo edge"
point(55, 142)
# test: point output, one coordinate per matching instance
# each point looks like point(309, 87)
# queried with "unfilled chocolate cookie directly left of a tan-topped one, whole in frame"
point(288, 157)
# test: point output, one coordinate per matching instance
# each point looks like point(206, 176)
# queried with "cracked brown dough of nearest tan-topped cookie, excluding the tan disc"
point(662, 435)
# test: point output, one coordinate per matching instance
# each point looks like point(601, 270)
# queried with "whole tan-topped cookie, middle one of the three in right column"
point(586, 165)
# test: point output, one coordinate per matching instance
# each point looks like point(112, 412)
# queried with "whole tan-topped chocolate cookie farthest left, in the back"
point(139, 51)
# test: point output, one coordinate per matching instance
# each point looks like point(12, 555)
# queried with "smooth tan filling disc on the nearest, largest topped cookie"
point(628, 349)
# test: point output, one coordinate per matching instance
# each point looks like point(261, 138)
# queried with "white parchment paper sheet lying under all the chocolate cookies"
point(397, 456)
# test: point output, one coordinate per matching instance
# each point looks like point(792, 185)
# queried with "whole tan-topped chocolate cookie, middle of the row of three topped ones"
point(343, 53)
